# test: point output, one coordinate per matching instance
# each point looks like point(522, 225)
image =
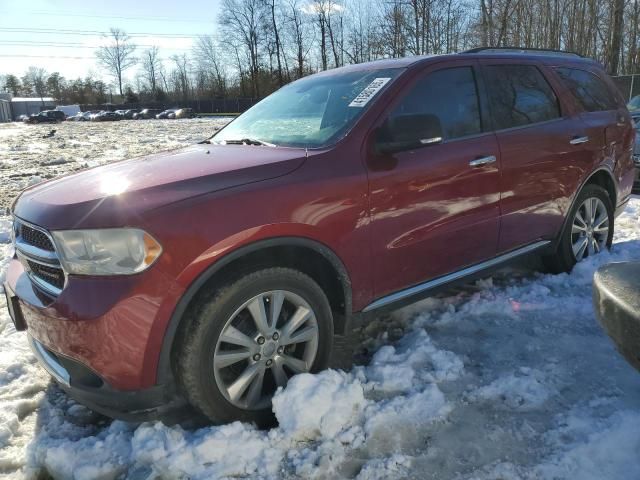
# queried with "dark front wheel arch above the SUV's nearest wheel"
point(308, 256)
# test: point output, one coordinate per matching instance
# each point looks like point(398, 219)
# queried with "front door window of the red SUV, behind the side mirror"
point(449, 94)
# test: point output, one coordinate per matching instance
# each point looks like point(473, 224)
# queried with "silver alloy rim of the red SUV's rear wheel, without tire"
point(590, 228)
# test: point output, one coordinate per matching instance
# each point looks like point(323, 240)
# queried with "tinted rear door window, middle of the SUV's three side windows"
point(519, 96)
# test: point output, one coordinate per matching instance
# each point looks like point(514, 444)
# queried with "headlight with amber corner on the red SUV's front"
point(112, 251)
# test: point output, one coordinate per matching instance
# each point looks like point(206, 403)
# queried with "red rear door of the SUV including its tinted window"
point(542, 147)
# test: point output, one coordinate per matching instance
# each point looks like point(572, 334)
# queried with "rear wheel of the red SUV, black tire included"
point(565, 258)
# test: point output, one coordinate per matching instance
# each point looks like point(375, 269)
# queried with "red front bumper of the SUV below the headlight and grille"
point(113, 326)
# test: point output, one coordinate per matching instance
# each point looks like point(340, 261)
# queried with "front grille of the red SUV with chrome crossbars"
point(36, 251)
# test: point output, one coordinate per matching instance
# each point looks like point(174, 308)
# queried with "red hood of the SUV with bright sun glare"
point(114, 194)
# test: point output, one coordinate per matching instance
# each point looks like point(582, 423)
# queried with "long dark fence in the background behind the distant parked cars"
point(215, 105)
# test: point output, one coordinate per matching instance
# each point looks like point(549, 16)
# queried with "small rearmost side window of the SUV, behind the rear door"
point(590, 91)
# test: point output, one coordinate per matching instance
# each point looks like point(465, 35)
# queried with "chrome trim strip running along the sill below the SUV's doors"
point(422, 287)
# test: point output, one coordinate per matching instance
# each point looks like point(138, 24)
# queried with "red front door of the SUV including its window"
point(434, 209)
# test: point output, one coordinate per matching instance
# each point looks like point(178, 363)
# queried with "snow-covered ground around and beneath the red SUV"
point(508, 378)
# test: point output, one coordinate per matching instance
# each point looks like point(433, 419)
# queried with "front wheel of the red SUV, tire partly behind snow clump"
point(247, 339)
